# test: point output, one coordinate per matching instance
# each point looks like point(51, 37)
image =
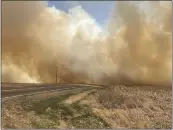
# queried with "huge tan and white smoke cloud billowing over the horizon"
point(38, 40)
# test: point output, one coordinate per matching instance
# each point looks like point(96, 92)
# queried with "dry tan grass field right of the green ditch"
point(132, 107)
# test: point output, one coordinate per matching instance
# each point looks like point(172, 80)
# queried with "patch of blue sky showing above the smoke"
point(100, 10)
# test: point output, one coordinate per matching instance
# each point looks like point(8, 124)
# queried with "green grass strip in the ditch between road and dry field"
point(53, 109)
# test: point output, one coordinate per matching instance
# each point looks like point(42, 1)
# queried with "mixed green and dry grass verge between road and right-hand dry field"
point(59, 111)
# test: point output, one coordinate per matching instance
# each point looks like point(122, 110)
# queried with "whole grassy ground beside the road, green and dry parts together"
point(111, 107)
